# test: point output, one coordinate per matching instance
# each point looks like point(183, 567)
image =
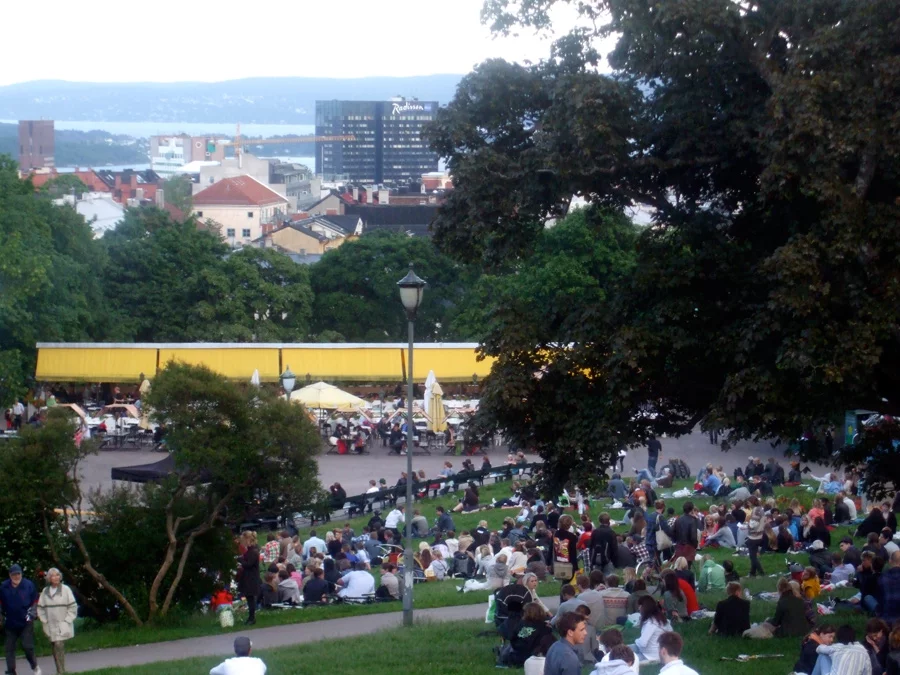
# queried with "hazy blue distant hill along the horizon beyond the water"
point(281, 100)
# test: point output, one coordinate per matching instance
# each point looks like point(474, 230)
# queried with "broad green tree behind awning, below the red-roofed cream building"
point(171, 281)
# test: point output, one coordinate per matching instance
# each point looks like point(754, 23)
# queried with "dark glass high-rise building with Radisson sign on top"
point(389, 148)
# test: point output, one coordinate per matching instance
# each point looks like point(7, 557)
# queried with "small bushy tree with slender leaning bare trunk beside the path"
point(226, 440)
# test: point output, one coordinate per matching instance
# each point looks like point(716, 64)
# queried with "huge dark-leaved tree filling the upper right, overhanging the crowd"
point(763, 138)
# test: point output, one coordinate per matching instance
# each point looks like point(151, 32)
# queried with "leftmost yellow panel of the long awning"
point(75, 364)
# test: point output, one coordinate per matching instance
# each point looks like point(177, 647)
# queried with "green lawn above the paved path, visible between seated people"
point(430, 595)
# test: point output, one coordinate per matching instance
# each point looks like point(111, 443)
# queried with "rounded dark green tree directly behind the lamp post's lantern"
point(355, 288)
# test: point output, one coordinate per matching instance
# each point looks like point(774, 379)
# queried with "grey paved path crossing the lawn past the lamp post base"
point(263, 638)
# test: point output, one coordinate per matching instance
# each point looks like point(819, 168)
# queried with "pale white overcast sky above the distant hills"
point(204, 40)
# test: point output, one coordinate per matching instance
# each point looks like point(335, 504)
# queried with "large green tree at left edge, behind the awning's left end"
point(48, 275)
